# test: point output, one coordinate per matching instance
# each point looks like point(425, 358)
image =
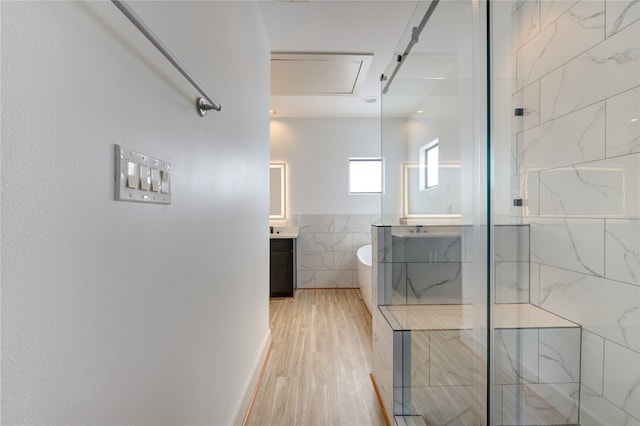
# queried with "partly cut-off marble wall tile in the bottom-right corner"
point(597, 411)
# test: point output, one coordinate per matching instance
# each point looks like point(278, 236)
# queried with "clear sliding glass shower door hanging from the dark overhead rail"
point(432, 331)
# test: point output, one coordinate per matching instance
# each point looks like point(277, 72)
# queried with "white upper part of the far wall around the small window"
point(316, 151)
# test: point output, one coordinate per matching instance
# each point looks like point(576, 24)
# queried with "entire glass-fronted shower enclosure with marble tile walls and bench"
point(506, 267)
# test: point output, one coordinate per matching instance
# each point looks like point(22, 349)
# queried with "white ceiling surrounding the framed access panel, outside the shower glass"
point(337, 26)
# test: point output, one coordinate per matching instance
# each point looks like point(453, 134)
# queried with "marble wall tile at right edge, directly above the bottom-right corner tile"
point(622, 378)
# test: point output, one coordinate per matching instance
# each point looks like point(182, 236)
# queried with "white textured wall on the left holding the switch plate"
point(123, 313)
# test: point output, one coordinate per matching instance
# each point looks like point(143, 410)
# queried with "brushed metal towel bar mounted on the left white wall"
point(204, 103)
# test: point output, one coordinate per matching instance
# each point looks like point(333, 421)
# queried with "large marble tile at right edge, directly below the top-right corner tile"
point(579, 82)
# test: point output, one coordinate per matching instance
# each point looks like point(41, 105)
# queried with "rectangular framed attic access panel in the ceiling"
point(318, 74)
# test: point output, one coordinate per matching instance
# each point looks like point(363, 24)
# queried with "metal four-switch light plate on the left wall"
point(140, 194)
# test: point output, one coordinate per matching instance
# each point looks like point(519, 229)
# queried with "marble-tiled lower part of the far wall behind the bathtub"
point(326, 249)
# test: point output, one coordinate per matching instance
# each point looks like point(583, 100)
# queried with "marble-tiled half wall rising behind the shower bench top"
point(434, 270)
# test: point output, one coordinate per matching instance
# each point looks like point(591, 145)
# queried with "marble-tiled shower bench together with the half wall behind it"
point(429, 355)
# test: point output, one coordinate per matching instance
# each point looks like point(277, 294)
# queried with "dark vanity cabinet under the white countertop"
point(283, 267)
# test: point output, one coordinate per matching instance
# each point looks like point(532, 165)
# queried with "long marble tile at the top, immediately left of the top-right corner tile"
point(572, 33)
